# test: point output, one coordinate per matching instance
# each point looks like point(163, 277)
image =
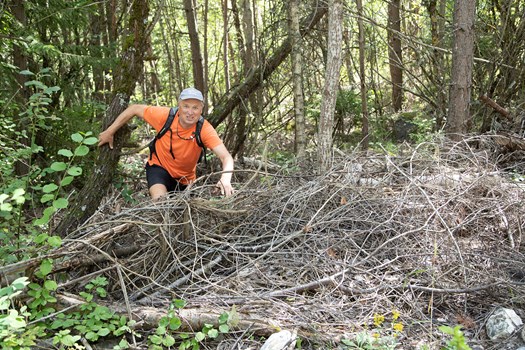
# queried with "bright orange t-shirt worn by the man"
point(183, 144)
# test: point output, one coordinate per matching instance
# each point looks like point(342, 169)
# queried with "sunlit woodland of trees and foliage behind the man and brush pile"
point(289, 82)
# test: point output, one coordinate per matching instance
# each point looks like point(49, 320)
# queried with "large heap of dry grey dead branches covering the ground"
point(434, 236)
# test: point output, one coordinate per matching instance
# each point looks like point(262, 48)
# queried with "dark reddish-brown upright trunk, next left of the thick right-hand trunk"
point(395, 53)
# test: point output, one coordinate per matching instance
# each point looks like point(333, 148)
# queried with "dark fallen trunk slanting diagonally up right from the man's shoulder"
point(252, 82)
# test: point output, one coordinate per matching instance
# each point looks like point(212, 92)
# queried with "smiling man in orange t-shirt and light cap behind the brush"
point(172, 167)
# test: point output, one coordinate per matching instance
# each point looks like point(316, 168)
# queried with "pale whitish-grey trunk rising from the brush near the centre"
point(331, 86)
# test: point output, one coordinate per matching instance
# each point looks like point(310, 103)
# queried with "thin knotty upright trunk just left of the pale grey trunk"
point(297, 79)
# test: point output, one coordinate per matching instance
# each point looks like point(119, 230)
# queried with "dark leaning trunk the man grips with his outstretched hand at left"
point(125, 78)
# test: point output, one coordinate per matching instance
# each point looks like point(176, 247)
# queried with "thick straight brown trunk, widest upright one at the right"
point(461, 77)
